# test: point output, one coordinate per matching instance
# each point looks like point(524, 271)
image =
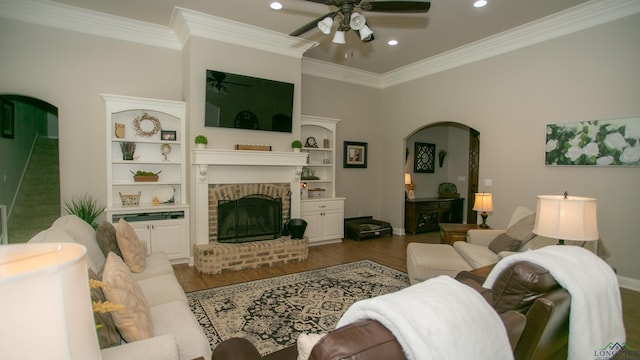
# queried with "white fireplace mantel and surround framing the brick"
point(214, 166)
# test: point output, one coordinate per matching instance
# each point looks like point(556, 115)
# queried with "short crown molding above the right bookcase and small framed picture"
point(332, 71)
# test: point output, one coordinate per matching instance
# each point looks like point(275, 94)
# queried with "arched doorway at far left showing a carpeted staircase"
point(29, 171)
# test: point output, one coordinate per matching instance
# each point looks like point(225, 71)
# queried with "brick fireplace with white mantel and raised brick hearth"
point(233, 174)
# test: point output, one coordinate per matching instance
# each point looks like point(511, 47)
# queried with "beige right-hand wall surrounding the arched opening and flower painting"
point(592, 74)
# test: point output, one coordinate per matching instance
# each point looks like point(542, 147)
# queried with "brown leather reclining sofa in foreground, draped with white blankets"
point(533, 307)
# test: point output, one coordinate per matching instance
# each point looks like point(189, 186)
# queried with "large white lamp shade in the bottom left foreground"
point(45, 304)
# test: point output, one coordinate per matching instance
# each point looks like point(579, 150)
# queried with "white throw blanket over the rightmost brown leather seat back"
point(596, 309)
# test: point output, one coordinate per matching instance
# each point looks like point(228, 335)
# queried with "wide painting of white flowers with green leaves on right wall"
point(597, 142)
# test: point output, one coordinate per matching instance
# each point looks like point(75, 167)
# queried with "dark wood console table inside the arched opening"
point(424, 214)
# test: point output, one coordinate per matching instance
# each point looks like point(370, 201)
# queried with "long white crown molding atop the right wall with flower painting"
point(581, 17)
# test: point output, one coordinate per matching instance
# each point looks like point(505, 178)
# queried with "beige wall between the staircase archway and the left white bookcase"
point(69, 70)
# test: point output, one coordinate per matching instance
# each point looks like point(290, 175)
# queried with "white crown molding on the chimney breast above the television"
point(186, 23)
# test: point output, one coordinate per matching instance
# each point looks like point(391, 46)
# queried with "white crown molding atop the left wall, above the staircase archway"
point(72, 18)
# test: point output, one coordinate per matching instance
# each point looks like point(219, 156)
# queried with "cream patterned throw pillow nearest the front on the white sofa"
point(134, 321)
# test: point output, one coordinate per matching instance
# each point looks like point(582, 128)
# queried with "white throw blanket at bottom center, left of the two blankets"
point(440, 318)
